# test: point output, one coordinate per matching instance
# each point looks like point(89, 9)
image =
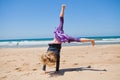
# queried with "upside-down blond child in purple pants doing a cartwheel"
point(52, 56)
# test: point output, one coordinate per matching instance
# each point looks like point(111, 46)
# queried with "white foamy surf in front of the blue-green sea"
point(33, 43)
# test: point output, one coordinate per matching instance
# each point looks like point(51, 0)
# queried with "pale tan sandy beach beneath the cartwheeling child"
point(101, 62)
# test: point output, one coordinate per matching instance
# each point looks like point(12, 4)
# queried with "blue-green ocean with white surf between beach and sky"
point(43, 42)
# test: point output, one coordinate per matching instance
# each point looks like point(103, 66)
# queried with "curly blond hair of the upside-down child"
point(49, 58)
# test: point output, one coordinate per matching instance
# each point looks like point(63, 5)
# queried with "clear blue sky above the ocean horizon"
point(20, 19)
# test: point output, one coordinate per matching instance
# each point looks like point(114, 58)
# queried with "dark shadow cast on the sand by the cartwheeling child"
point(62, 71)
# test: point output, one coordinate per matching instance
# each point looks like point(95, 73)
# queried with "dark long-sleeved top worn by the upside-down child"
point(55, 48)
